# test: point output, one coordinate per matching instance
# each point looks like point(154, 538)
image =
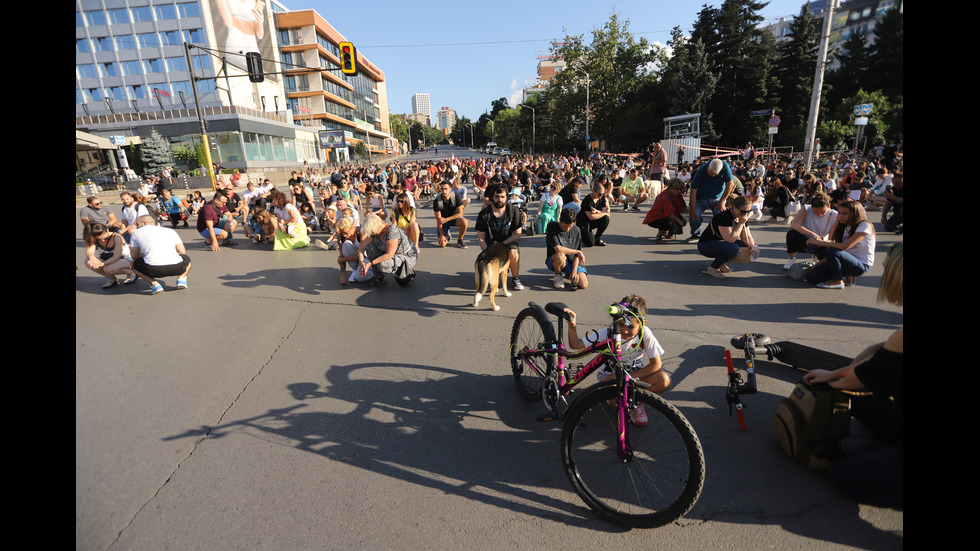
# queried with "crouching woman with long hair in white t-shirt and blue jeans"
point(850, 251)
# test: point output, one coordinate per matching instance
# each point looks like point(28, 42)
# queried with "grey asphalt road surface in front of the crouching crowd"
point(266, 407)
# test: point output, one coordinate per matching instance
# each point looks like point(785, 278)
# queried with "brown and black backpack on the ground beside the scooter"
point(811, 422)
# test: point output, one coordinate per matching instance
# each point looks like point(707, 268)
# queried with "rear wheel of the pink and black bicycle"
point(532, 329)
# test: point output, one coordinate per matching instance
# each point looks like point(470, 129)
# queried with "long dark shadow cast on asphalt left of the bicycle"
point(424, 439)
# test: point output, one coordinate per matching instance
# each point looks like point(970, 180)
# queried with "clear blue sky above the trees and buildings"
point(466, 54)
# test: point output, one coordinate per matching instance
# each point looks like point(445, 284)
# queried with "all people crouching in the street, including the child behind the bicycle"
point(369, 216)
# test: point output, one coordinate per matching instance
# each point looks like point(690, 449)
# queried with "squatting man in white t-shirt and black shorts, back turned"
point(158, 252)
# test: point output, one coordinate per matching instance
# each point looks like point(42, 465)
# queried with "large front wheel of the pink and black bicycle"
point(663, 472)
